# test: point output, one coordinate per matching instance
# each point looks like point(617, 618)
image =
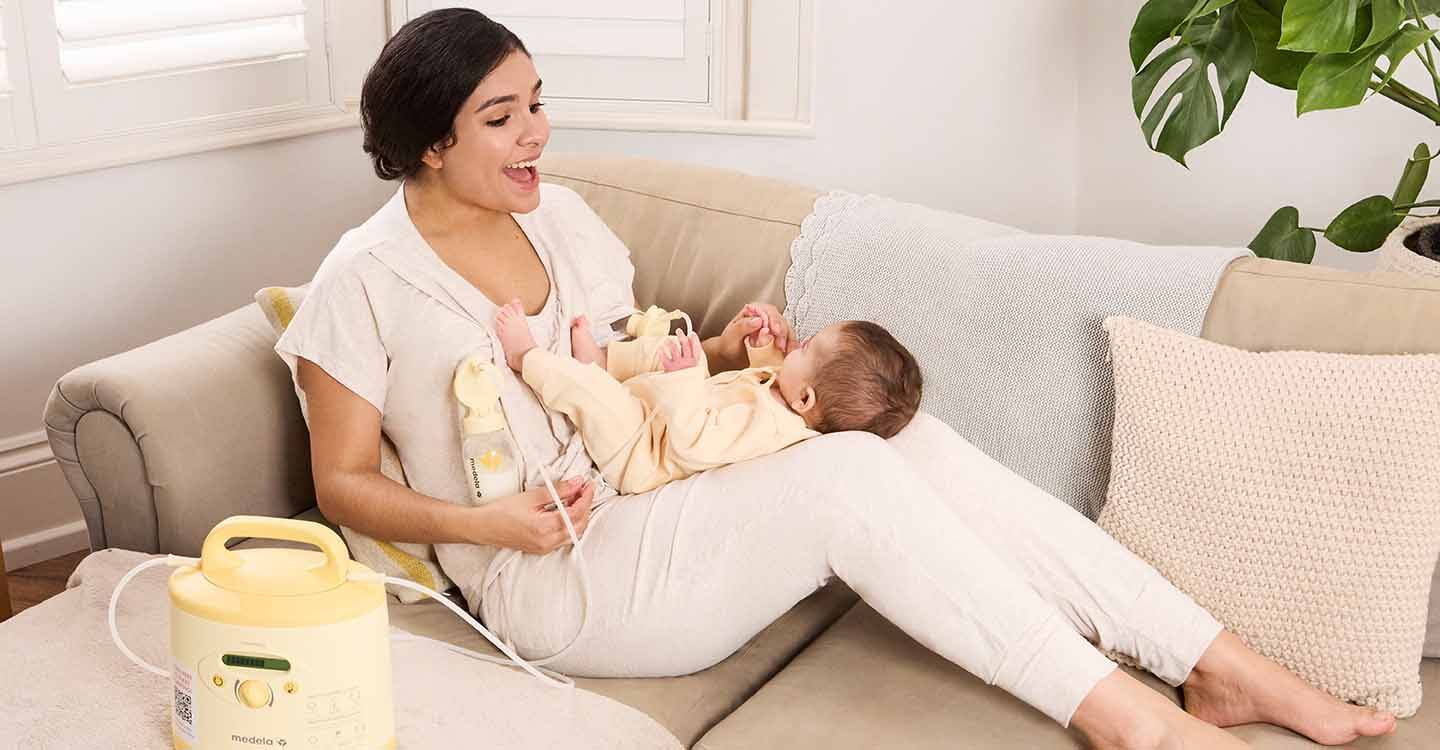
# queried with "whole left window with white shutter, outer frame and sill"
point(102, 83)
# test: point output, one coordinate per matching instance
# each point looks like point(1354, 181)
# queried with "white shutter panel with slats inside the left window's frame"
point(112, 67)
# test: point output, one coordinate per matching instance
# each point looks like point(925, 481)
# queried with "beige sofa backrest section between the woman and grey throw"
point(705, 241)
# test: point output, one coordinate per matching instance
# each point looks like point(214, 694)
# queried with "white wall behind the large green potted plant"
point(1264, 161)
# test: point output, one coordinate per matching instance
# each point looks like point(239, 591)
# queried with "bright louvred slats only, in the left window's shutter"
point(116, 40)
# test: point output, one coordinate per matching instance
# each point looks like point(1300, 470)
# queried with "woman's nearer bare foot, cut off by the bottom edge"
point(1124, 715)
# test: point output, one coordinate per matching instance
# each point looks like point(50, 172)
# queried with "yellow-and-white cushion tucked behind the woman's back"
point(401, 559)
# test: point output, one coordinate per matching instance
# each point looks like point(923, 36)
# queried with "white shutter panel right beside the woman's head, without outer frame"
point(618, 51)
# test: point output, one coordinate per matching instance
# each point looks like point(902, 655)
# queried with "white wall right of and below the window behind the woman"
point(968, 107)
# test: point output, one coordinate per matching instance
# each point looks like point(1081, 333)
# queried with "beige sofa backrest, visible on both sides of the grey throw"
point(708, 241)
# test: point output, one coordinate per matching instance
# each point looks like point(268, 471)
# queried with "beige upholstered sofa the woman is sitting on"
point(162, 443)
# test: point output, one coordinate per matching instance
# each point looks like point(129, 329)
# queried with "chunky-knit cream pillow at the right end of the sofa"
point(1294, 494)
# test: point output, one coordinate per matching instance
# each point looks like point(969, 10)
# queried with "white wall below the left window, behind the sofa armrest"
point(100, 263)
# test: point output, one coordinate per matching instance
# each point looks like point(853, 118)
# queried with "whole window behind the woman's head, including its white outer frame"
point(708, 65)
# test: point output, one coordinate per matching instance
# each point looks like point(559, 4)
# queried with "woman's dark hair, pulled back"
point(420, 83)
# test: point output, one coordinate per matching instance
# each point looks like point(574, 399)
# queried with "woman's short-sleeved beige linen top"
point(391, 322)
